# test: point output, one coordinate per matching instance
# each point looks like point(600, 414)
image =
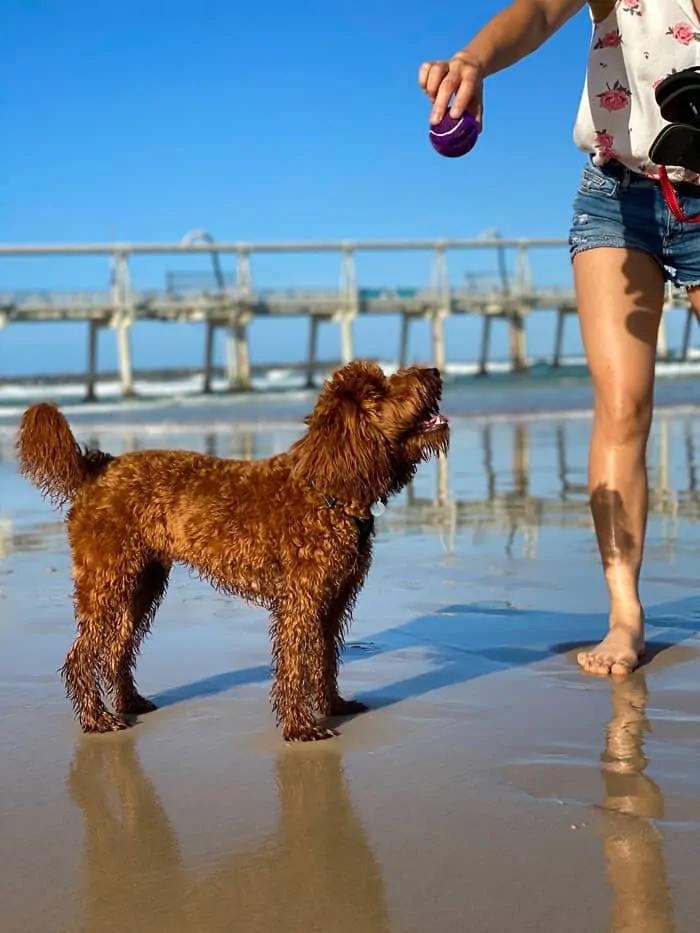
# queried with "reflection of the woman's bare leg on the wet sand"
point(632, 844)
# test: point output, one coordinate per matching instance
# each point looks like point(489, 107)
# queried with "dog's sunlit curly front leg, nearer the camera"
point(298, 659)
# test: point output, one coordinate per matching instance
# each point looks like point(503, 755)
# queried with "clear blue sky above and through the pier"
point(267, 121)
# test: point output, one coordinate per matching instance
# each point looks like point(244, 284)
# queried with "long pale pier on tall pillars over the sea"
point(232, 305)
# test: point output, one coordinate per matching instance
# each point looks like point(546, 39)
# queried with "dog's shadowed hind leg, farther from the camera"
point(135, 618)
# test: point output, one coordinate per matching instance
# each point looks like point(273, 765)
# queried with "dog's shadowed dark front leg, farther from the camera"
point(335, 624)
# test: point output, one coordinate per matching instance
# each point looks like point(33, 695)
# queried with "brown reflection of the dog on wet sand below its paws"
point(317, 873)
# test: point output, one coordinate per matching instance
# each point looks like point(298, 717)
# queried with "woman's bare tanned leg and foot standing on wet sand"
point(620, 299)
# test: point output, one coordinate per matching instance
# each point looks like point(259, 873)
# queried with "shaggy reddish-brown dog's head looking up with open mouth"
point(368, 432)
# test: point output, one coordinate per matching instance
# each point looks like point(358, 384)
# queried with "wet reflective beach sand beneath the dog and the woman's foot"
point(491, 786)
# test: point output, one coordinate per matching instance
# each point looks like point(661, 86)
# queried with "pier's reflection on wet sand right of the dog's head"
point(509, 505)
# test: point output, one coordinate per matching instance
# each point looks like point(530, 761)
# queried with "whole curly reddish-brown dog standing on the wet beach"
point(292, 534)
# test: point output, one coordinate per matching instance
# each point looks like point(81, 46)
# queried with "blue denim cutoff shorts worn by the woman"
point(617, 207)
